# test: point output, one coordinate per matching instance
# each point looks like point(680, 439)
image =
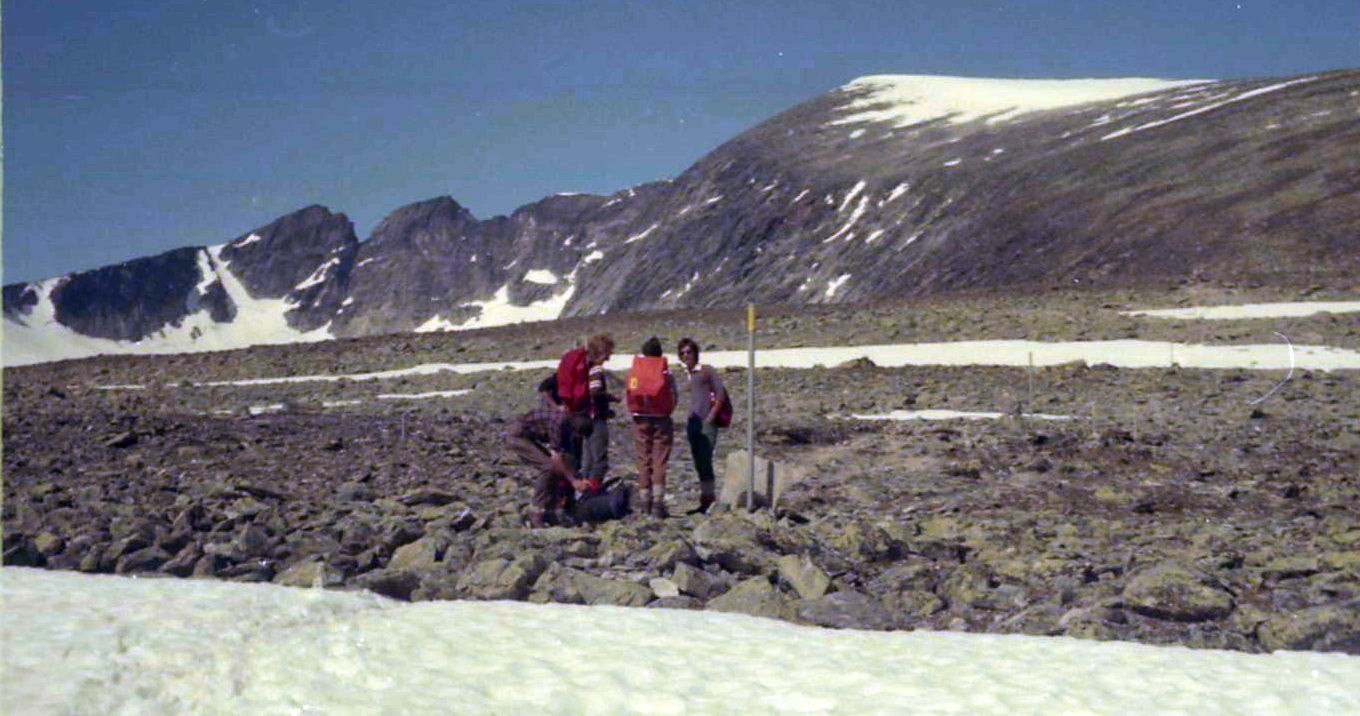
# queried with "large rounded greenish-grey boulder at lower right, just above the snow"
point(1177, 593)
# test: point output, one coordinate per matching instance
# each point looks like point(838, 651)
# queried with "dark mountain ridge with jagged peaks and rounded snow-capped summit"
point(891, 186)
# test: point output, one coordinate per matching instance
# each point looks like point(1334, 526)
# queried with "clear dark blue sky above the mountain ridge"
point(135, 127)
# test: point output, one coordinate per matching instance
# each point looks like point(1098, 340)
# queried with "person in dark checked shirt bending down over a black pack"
point(543, 440)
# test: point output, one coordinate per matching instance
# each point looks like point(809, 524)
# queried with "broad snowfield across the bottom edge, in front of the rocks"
point(101, 645)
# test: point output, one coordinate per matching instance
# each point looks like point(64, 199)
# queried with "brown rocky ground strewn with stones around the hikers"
point(1169, 510)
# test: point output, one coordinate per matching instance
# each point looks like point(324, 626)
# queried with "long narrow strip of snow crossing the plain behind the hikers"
point(995, 353)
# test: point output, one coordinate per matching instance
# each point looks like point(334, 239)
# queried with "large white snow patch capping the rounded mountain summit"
point(919, 99)
